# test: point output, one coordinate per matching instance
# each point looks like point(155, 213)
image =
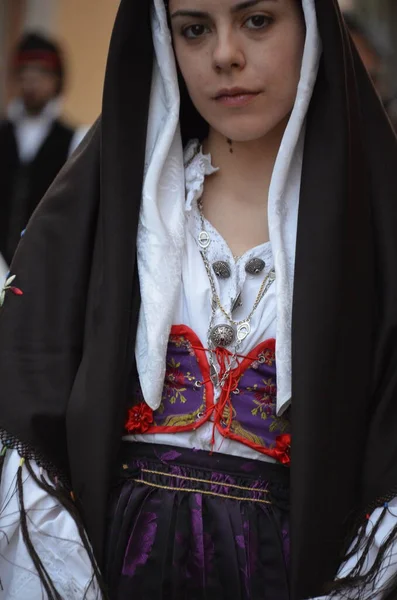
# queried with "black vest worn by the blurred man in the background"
point(24, 184)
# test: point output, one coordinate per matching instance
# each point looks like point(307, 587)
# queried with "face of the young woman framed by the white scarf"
point(240, 61)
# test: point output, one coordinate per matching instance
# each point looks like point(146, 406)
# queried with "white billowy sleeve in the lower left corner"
point(54, 536)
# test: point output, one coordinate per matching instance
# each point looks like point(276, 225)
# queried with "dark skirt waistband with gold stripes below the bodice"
point(213, 474)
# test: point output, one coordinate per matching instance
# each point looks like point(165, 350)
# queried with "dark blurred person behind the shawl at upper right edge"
point(374, 60)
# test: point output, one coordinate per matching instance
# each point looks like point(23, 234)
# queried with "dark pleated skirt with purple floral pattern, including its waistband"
point(188, 525)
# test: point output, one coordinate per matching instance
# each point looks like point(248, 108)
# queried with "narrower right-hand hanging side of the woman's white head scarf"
point(284, 202)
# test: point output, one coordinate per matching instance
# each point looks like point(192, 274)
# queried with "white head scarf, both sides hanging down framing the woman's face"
point(161, 237)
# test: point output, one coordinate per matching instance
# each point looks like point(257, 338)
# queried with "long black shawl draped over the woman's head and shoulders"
point(66, 346)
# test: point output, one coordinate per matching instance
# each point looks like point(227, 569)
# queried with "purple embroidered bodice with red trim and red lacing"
point(245, 410)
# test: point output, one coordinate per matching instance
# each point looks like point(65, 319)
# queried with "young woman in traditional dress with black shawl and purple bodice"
point(198, 350)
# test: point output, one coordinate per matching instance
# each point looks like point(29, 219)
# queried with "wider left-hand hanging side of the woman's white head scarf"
point(161, 225)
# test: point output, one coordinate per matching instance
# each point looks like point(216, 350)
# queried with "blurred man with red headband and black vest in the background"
point(34, 141)
